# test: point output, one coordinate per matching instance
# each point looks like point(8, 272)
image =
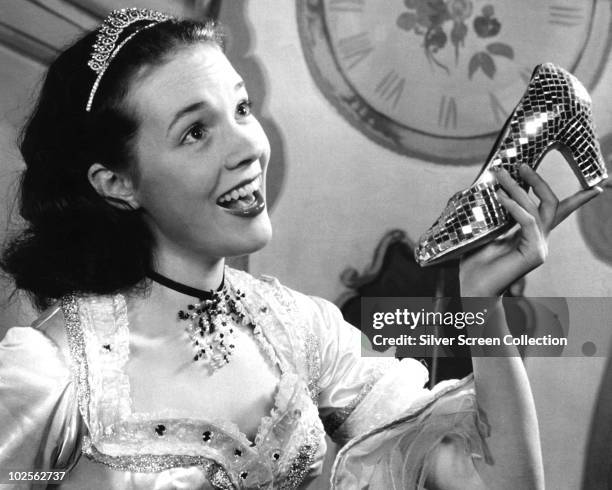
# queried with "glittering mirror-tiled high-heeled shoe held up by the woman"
point(554, 113)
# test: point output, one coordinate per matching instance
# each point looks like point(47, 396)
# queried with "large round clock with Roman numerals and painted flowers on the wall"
point(436, 79)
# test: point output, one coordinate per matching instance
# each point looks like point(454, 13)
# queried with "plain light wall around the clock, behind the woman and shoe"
point(342, 193)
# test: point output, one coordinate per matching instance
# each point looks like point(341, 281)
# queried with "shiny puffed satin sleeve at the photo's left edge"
point(39, 420)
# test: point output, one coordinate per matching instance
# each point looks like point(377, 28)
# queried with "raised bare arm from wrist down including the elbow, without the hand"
point(504, 395)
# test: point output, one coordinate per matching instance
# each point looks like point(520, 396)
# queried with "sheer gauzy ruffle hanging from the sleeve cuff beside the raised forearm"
point(397, 453)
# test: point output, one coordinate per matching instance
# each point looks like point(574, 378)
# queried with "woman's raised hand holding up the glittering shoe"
point(492, 269)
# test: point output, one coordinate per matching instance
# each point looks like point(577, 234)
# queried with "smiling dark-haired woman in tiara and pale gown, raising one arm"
point(154, 364)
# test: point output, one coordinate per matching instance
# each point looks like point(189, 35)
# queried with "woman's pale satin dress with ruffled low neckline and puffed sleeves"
point(74, 412)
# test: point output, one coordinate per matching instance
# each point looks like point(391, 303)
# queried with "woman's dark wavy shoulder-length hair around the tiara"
point(74, 240)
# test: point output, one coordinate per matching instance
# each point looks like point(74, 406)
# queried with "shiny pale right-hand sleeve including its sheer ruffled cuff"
point(389, 424)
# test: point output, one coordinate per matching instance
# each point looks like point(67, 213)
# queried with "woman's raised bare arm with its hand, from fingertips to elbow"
point(502, 387)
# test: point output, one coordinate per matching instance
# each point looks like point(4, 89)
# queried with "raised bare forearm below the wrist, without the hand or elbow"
point(504, 395)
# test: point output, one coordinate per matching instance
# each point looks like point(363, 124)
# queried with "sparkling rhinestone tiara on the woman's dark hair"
point(106, 48)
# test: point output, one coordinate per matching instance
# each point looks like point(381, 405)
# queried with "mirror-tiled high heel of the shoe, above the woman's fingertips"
point(578, 143)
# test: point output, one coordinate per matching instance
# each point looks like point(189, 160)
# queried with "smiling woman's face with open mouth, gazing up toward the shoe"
point(201, 156)
